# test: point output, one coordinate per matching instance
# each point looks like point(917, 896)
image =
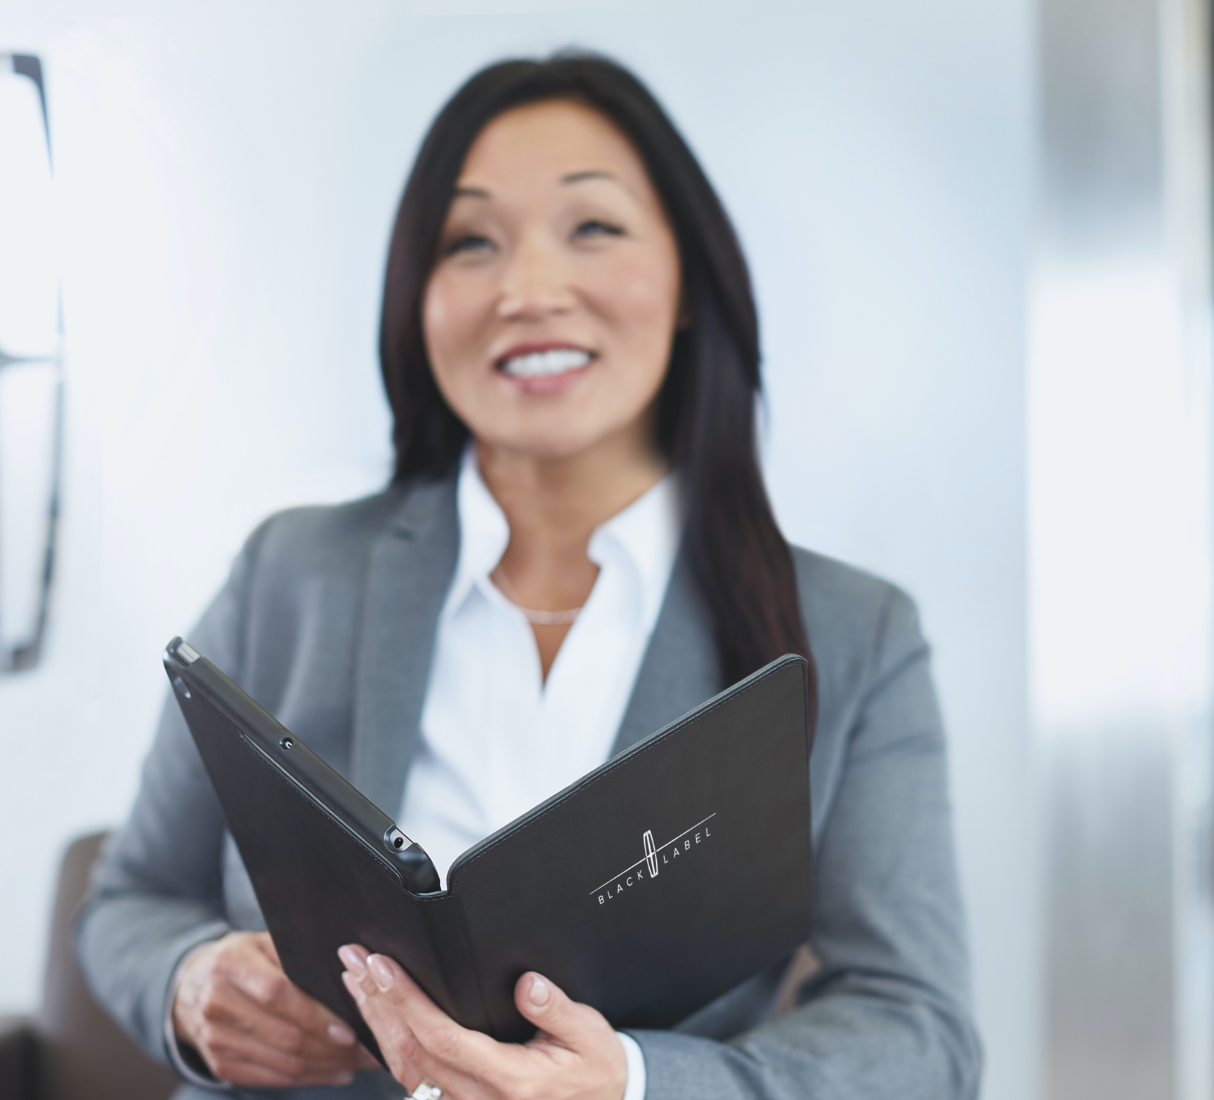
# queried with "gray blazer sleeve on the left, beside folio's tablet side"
point(157, 891)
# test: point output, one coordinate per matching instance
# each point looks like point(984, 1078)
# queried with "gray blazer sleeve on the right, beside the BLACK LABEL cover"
point(887, 1014)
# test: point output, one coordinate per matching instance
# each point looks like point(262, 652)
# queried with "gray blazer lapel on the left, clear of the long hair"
point(410, 570)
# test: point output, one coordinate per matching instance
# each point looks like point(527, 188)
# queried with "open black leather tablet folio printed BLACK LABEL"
point(646, 889)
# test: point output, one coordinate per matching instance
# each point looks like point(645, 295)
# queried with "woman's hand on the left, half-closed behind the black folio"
point(253, 1027)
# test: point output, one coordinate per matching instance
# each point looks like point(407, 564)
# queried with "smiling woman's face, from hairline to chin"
point(552, 310)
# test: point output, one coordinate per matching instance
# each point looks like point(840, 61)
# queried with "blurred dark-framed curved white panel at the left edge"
point(31, 365)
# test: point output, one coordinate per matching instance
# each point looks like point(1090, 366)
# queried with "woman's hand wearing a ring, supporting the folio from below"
point(575, 1057)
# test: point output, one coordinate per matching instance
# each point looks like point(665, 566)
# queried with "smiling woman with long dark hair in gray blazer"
point(576, 549)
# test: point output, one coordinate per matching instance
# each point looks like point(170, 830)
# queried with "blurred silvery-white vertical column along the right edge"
point(1120, 546)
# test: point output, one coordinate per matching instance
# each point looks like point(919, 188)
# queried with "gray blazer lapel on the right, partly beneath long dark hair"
point(680, 668)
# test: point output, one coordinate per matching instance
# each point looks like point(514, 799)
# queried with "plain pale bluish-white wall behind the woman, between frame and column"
point(226, 177)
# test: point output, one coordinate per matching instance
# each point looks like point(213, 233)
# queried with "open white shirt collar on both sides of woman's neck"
point(644, 538)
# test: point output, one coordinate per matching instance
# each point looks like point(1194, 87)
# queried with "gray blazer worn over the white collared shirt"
point(330, 621)
